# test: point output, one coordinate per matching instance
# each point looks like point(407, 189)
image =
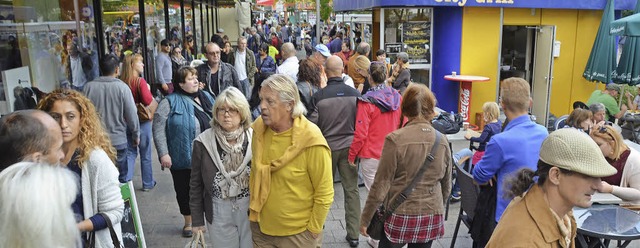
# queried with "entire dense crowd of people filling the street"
point(253, 138)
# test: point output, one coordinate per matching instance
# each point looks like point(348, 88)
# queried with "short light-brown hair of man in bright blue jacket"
point(516, 94)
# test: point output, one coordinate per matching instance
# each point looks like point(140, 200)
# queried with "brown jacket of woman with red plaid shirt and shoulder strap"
point(404, 152)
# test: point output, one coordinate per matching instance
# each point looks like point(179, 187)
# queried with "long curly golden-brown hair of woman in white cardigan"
point(92, 133)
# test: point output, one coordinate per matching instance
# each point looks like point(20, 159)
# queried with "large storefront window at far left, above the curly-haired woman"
point(34, 35)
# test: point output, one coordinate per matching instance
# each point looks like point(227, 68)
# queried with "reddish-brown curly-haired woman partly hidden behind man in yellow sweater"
point(310, 79)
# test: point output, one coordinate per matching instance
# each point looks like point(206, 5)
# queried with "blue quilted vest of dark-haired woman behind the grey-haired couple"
point(182, 123)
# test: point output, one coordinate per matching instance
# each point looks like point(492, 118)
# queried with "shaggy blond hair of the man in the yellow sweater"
point(288, 92)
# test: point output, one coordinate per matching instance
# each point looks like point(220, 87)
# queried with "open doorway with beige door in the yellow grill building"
point(527, 53)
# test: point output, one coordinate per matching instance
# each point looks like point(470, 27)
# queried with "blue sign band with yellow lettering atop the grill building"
point(348, 5)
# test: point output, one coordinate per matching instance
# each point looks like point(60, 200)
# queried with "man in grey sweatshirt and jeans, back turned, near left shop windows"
point(114, 101)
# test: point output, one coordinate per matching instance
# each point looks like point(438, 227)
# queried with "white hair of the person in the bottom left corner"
point(35, 206)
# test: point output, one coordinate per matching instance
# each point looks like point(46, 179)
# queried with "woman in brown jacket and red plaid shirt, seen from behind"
point(405, 169)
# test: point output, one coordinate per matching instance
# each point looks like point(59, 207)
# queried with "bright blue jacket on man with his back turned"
point(517, 147)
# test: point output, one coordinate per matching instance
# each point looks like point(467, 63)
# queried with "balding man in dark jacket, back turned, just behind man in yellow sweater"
point(335, 114)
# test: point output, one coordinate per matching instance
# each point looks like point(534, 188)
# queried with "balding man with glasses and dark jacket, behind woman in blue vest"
point(215, 74)
